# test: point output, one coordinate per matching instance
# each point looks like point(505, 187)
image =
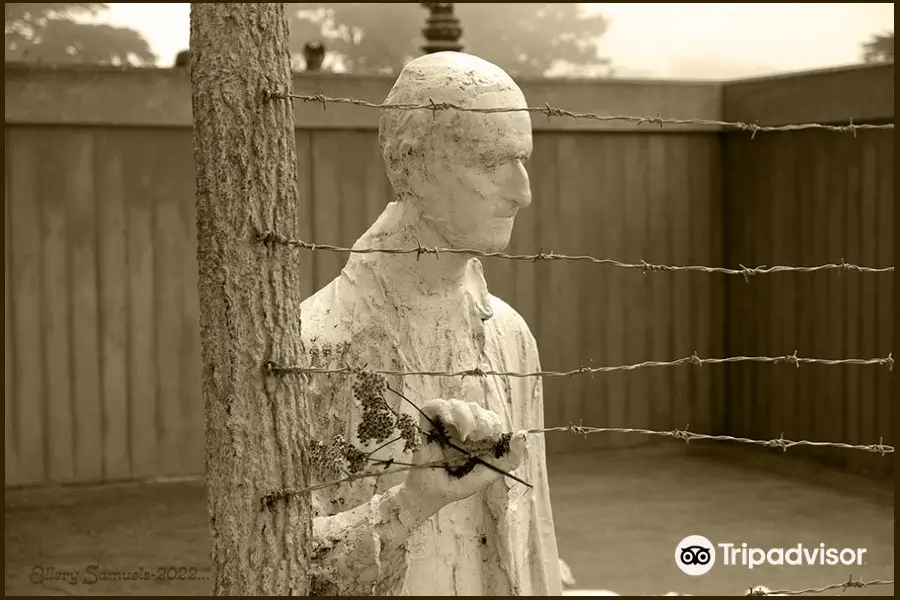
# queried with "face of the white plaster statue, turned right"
point(473, 179)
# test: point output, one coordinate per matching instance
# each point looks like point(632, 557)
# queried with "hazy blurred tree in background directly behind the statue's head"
point(522, 38)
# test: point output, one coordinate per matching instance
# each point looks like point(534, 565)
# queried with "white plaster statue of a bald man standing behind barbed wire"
point(460, 179)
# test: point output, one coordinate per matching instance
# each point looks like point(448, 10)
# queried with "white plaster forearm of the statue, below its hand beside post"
point(362, 551)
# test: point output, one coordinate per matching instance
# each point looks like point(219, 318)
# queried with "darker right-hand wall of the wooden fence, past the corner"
point(807, 198)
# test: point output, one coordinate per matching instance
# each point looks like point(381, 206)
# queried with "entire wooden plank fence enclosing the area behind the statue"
point(102, 340)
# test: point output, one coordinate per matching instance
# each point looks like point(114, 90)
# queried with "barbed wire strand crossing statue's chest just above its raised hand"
point(277, 369)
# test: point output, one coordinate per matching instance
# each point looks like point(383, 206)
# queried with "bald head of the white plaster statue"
point(450, 157)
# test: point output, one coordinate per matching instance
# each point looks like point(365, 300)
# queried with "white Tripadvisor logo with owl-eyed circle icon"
point(696, 555)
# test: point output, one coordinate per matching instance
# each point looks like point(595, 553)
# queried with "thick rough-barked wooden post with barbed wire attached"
point(256, 423)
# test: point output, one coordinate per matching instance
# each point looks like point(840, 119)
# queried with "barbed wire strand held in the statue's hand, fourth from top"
point(676, 434)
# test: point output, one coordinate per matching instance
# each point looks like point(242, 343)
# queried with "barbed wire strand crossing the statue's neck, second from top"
point(269, 237)
